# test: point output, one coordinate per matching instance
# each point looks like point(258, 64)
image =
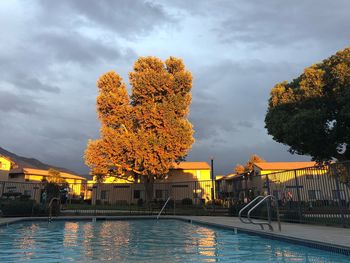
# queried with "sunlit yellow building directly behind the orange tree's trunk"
point(186, 180)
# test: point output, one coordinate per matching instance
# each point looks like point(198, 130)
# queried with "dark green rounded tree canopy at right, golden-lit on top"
point(311, 114)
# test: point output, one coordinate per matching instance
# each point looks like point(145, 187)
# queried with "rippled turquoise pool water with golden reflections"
point(145, 241)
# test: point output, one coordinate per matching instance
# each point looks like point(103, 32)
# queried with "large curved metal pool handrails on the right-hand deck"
point(255, 203)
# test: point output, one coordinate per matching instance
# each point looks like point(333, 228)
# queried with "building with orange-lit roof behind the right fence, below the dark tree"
point(298, 181)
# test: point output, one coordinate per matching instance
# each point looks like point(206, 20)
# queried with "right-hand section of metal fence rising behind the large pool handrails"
point(317, 195)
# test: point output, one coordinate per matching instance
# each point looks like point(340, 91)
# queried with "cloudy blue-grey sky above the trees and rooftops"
point(52, 53)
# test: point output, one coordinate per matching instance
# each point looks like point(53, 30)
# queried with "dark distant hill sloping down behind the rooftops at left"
point(30, 162)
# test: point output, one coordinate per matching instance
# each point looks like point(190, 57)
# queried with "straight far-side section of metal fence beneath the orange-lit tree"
point(194, 198)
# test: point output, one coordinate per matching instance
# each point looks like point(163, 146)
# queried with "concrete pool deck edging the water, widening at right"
point(323, 237)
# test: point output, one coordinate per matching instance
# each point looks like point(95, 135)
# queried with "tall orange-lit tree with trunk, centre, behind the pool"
point(142, 135)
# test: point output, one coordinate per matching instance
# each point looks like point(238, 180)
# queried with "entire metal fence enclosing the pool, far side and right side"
point(317, 195)
